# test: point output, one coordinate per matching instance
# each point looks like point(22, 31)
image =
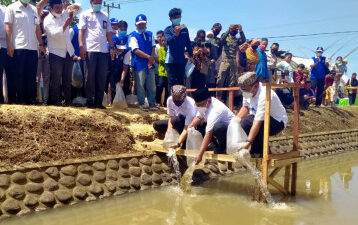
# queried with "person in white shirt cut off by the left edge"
point(3, 56)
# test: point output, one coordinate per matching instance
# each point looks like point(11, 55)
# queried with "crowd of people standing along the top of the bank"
point(39, 45)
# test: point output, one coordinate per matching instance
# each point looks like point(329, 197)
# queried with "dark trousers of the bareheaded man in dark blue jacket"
point(176, 74)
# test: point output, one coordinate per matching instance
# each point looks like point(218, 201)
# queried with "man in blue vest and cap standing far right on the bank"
point(318, 74)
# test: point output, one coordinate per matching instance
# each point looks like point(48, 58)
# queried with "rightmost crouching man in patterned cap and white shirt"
point(252, 113)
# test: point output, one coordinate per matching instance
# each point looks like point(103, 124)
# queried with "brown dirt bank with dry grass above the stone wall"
point(45, 133)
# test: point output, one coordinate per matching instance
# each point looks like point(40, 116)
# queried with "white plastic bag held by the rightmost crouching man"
point(236, 136)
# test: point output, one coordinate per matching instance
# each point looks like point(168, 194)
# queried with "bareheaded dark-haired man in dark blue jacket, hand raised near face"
point(178, 41)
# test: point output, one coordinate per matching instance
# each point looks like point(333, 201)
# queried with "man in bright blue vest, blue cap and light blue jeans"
point(142, 44)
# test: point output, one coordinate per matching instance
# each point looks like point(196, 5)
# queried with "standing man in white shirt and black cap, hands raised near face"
point(61, 51)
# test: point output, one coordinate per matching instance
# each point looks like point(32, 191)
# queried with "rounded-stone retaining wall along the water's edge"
point(37, 187)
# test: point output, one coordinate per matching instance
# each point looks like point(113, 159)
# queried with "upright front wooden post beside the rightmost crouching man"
point(266, 133)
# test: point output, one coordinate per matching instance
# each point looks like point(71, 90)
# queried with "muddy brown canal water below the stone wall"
point(327, 194)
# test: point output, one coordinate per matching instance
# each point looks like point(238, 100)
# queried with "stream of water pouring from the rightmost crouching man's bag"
point(244, 157)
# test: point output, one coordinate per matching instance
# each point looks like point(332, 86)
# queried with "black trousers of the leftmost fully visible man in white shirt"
point(21, 79)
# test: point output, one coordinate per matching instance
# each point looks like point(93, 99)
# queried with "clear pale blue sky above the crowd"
point(260, 18)
